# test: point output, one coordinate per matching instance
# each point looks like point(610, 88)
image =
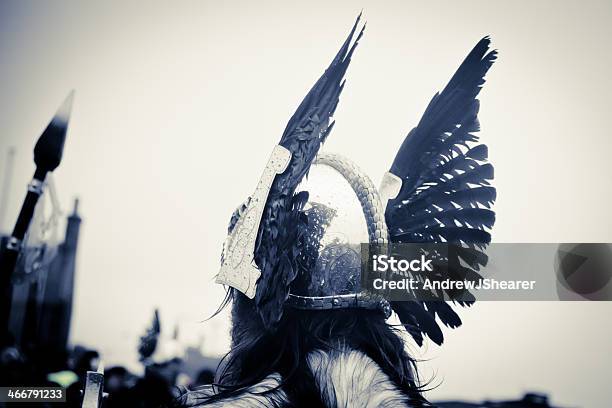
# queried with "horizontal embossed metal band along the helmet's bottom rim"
point(353, 300)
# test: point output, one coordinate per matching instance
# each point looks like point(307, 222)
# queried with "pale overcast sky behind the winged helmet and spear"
point(177, 108)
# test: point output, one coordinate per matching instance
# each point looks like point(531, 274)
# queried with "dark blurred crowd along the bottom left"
point(164, 372)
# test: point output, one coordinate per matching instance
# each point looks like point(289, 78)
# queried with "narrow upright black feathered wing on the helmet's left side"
point(283, 222)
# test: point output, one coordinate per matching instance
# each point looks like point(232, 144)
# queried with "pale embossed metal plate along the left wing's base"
point(238, 269)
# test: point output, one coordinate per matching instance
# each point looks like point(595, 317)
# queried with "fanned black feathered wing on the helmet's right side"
point(445, 194)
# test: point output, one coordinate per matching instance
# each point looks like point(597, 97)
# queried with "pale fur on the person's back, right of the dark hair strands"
point(349, 378)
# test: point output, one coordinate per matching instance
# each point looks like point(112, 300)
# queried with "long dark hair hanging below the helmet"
point(257, 353)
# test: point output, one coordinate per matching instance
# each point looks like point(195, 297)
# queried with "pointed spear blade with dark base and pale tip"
point(50, 145)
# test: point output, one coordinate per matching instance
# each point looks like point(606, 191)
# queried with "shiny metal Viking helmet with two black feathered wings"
point(284, 248)
